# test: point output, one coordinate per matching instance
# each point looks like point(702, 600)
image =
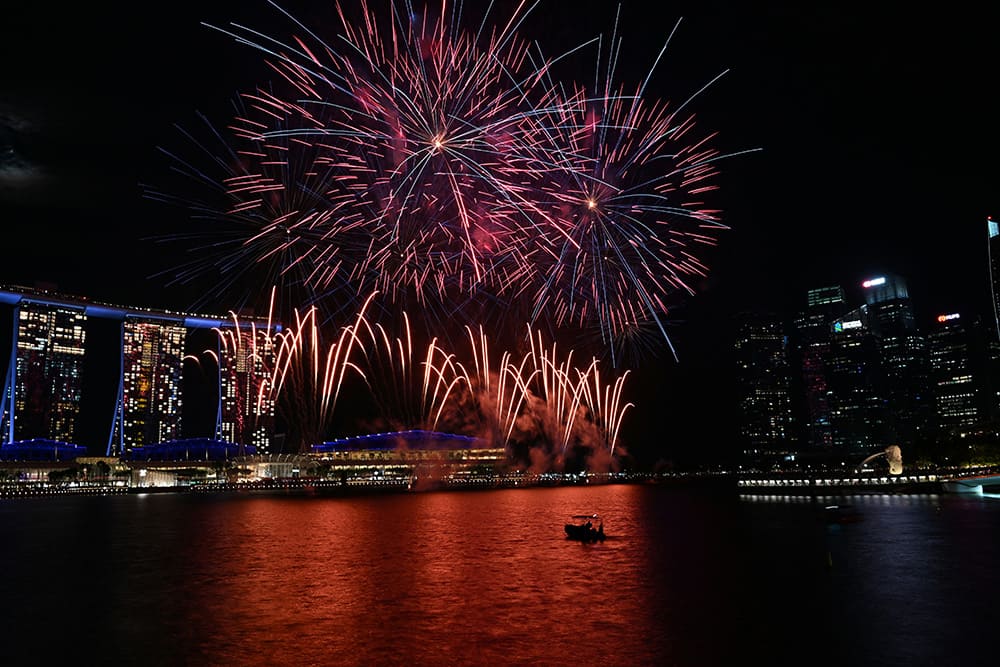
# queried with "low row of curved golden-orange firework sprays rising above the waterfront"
point(538, 398)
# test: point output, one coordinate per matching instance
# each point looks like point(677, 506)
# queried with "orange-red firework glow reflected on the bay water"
point(435, 578)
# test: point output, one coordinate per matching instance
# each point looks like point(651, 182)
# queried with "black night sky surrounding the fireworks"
point(876, 128)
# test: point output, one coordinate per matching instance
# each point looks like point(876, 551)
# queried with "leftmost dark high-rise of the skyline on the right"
point(763, 383)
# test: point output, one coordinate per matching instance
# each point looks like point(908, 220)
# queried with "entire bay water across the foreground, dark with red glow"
point(686, 577)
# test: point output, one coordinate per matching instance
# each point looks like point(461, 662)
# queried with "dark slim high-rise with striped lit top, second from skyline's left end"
point(812, 348)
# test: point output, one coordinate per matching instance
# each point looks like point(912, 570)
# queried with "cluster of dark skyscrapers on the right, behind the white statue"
point(844, 379)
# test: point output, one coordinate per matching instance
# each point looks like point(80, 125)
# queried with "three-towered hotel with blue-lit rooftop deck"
point(44, 383)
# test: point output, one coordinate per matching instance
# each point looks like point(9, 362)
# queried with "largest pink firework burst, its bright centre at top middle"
point(421, 134)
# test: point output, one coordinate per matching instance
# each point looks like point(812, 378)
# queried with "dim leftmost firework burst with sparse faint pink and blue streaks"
point(259, 222)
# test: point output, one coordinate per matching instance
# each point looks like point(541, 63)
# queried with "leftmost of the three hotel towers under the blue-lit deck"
point(45, 377)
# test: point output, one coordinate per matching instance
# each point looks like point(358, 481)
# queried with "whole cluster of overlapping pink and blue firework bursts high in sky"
point(451, 168)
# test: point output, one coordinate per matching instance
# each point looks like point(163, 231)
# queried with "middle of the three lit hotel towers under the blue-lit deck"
point(149, 402)
